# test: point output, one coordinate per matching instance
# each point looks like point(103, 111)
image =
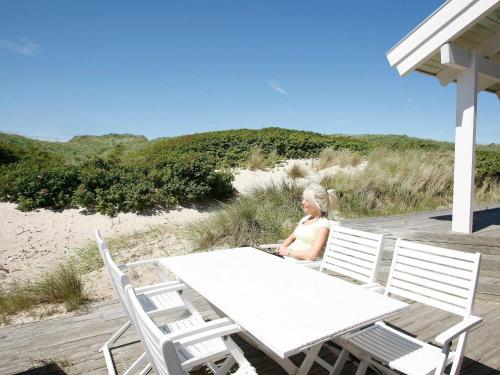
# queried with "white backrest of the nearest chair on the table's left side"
point(161, 352)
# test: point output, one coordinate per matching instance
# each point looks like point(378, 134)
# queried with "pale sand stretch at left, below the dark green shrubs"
point(30, 242)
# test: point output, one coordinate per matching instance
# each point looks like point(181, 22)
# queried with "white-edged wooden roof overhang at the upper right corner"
point(443, 43)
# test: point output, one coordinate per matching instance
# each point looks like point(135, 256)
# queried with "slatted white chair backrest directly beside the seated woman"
point(353, 253)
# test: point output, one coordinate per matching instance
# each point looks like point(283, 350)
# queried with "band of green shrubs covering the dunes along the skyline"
point(126, 173)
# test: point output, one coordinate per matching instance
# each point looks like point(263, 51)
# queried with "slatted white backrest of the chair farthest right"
point(442, 278)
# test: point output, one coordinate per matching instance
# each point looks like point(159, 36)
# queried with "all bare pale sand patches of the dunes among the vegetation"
point(30, 242)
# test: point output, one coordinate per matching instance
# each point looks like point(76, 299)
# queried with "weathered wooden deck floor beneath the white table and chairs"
point(69, 345)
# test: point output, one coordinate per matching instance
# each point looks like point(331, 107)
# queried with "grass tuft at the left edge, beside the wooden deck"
point(63, 284)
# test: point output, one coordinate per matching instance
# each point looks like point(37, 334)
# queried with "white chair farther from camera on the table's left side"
point(156, 299)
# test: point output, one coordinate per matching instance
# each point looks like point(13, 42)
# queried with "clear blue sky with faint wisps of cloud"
point(164, 68)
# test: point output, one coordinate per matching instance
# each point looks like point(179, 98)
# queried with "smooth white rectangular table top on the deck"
point(285, 306)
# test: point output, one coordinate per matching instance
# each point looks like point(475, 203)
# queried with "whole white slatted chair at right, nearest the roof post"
point(441, 278)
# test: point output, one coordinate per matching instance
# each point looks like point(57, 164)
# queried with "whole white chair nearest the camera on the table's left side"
point(176, 349)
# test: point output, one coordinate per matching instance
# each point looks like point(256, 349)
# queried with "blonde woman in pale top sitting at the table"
point(310, 236)
